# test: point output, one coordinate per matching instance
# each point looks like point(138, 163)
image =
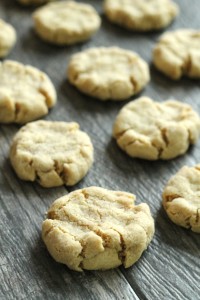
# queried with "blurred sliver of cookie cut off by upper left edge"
point(7, 38)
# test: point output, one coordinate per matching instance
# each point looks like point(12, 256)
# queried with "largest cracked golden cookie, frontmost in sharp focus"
point(95, 228)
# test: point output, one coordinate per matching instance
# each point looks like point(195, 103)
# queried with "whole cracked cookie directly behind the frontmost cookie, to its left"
point(53, 153)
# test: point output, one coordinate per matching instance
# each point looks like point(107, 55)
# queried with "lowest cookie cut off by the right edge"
point(181, 198)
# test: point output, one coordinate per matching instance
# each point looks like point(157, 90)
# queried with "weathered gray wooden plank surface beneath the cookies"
point(170, 268)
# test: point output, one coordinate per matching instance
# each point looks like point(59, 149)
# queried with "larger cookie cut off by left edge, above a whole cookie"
point(26, 93)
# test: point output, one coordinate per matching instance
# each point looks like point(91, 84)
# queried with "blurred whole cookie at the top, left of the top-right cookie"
point(66, 22)
